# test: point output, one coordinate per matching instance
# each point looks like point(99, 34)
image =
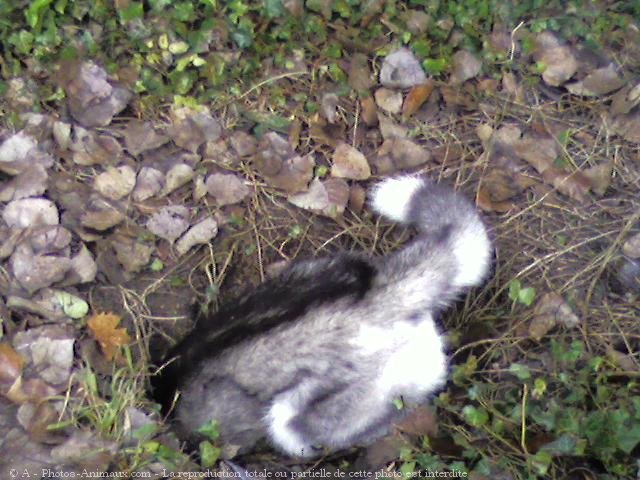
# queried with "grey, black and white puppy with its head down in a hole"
point(314, 358)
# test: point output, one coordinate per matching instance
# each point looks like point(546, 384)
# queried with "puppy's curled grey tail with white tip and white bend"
point(452, 251)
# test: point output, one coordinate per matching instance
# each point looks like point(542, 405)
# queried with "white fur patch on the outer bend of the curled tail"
point(472, 250)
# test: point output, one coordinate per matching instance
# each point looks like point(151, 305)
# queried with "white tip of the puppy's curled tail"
point(392, 196)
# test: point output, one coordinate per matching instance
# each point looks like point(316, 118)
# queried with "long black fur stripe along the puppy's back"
point(273, 303)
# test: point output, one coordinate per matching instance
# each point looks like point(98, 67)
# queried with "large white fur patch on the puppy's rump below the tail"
point(416, 364)
